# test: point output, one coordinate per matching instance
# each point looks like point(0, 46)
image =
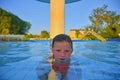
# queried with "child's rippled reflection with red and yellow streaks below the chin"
point(58, 70)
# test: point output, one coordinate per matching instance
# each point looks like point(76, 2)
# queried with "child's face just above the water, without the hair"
point(62, 50)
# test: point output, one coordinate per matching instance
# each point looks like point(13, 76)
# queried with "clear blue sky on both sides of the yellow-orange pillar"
point(38, 13)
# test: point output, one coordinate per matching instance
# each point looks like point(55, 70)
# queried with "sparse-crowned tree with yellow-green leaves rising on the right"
point(105, 22)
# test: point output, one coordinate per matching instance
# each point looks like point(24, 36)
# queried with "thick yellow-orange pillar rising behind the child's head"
point(56, 17)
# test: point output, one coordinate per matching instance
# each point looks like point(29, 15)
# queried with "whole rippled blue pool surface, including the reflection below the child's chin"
point(90, 61)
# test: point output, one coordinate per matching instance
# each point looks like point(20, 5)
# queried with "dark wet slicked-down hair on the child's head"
point(61, 38)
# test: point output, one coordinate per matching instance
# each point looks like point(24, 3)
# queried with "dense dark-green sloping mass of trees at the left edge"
point(13, 23)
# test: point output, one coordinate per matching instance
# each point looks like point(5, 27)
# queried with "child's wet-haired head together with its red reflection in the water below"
point(62, 48)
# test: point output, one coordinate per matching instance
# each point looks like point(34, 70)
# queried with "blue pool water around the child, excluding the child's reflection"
point(97, 60)
